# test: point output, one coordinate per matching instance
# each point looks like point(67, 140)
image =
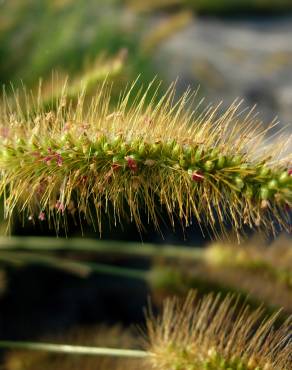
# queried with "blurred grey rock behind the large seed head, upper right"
point(248, 58)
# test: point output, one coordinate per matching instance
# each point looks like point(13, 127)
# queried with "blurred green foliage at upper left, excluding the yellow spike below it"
point(39, 36)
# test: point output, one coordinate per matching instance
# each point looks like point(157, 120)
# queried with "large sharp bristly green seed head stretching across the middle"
point(141, 158)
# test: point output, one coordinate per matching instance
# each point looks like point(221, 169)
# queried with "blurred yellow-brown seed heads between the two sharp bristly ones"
point(257, 271)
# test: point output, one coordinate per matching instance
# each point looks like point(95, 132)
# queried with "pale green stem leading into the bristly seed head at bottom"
point(73, 350)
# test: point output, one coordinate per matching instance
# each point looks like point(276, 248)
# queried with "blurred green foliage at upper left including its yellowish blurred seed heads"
point(84, 40)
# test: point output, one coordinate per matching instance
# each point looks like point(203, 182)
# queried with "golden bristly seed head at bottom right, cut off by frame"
point(213, 334)
